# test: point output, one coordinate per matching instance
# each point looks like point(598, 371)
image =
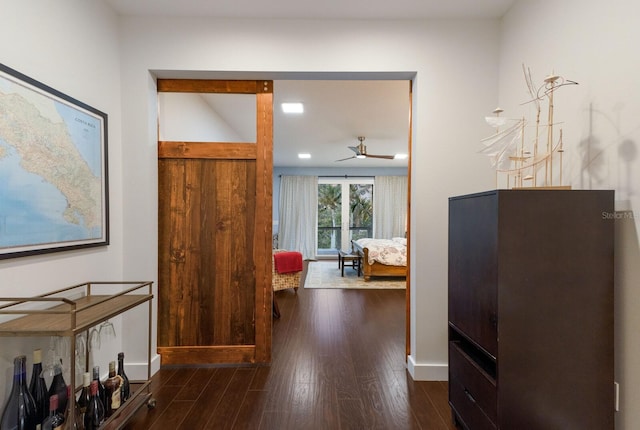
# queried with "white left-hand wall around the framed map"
point(72, 46)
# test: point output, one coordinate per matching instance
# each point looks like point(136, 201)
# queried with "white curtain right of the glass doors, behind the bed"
point(390, 207)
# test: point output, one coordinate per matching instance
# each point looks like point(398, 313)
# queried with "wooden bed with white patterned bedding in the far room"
point(382, 257)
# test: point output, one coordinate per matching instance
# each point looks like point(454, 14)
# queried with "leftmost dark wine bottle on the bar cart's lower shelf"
point(20, 410)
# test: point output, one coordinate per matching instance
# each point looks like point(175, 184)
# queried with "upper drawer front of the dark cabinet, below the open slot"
point(475, 385)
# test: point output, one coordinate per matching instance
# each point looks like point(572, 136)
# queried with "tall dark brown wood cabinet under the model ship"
point(531, 328)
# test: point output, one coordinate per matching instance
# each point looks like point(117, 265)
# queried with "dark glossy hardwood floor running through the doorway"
point(338, 363)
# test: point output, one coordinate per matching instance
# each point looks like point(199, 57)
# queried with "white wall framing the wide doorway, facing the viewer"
point(455, 66)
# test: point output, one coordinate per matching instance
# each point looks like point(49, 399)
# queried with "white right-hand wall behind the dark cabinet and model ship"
point(595, 44)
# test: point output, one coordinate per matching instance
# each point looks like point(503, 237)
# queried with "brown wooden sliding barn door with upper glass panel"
point(214, 282)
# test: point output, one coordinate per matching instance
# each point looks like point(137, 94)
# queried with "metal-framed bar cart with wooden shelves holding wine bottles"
point(77, 309)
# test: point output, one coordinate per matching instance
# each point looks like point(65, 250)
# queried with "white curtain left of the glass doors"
point(298, 215)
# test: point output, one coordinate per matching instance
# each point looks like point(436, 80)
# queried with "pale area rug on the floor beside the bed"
point(325, 274)
